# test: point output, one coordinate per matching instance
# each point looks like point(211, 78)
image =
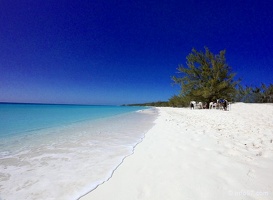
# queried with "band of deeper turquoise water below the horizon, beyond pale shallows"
point(22, 118)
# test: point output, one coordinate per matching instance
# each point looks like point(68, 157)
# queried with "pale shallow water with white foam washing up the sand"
point(69, 160)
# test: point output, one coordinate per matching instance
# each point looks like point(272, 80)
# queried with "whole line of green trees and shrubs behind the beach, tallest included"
point(206, 78)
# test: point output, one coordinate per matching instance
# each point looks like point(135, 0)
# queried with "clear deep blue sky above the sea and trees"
point(116, 52)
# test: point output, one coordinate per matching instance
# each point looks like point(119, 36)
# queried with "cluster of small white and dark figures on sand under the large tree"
point(219, 104)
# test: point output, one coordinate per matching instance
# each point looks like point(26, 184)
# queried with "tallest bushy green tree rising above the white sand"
point(206, 78)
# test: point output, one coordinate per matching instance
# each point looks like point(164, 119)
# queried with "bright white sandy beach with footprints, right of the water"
point(199, 154)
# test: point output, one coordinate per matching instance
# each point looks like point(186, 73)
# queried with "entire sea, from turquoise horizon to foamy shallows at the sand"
point(65, 151)
